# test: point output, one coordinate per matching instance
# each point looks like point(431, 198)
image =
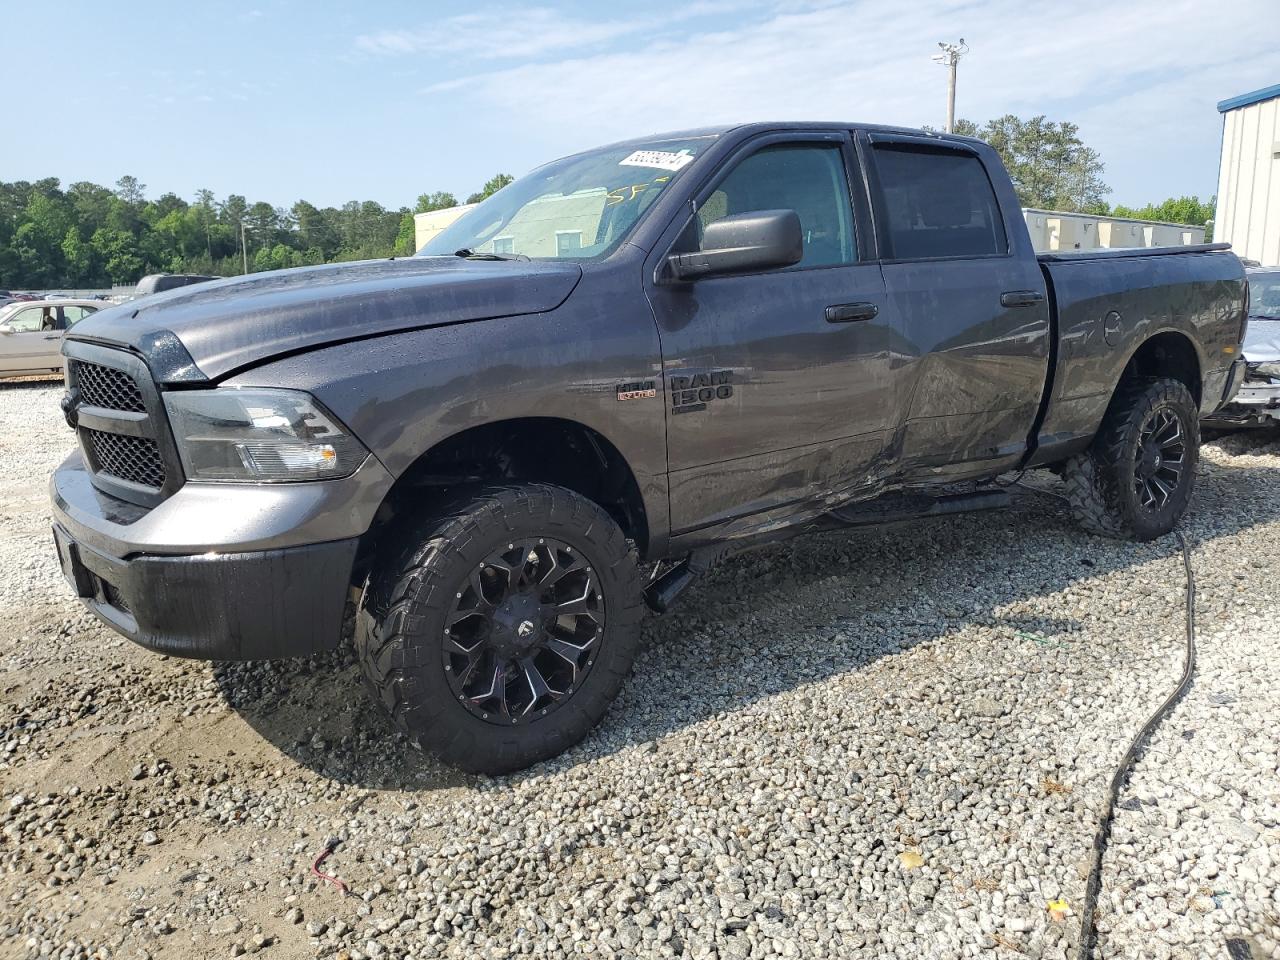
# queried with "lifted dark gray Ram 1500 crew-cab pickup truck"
point(634, 359)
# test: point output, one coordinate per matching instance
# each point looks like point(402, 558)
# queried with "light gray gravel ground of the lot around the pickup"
point(877, 744)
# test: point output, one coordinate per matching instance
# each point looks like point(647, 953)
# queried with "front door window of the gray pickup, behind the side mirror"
point(807, 179)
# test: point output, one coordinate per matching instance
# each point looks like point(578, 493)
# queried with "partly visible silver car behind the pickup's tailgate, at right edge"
point(1258, 404)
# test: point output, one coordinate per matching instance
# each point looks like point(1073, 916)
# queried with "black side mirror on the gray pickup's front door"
point(765, 240)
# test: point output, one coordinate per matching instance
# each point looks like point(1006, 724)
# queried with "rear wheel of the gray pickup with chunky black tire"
point(1137, 478)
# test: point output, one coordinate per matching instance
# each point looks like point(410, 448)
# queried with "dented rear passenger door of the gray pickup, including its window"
point(968, 291)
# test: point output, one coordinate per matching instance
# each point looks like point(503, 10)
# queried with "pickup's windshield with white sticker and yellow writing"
point(579, 208)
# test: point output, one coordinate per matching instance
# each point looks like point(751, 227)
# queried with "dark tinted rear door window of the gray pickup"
point(939, 204)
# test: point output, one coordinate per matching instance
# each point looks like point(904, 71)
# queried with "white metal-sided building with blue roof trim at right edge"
point(1249, 180)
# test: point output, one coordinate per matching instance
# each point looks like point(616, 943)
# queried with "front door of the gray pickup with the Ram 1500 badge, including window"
point(776, 381)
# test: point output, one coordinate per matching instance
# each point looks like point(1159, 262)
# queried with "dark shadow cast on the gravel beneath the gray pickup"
point(907, 586)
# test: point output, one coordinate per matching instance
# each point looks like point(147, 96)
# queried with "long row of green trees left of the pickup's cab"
point(94, 236)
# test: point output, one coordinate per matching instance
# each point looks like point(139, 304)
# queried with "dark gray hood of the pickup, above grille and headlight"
point(209, 331)
